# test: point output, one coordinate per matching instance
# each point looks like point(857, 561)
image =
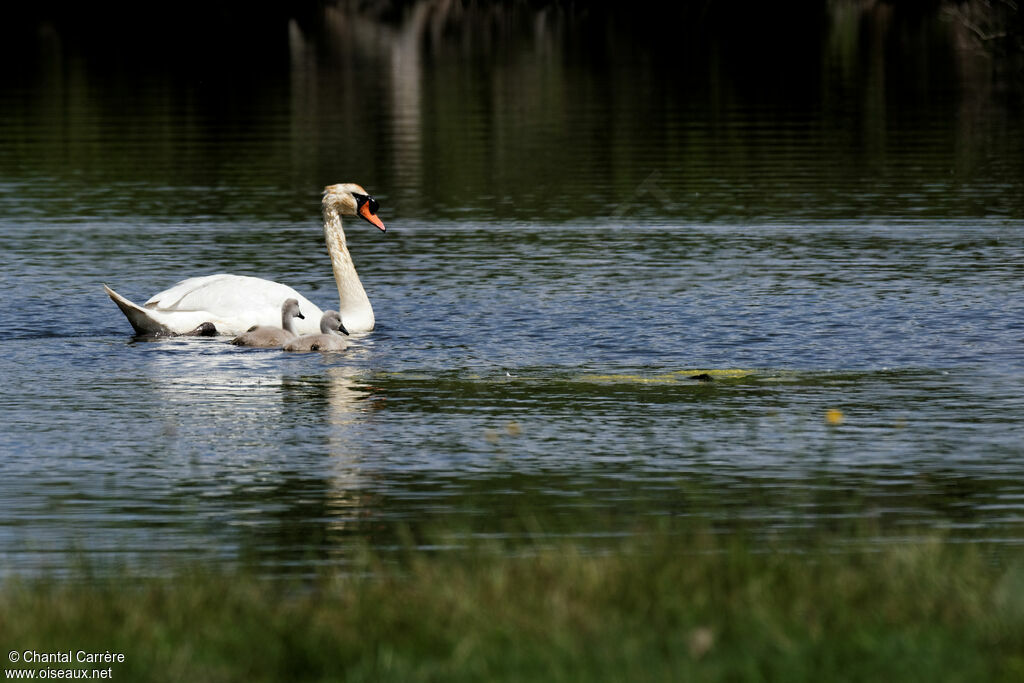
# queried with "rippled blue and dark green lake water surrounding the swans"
point(579, 225)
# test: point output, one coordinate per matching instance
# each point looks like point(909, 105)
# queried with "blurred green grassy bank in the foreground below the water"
point(674, 609)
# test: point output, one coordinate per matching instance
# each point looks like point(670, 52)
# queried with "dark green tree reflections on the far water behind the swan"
point(529, 114)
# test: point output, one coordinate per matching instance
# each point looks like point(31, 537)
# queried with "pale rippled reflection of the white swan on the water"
point(268, 447)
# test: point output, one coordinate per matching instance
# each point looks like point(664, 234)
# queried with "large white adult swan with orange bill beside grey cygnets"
point(235, 304)
